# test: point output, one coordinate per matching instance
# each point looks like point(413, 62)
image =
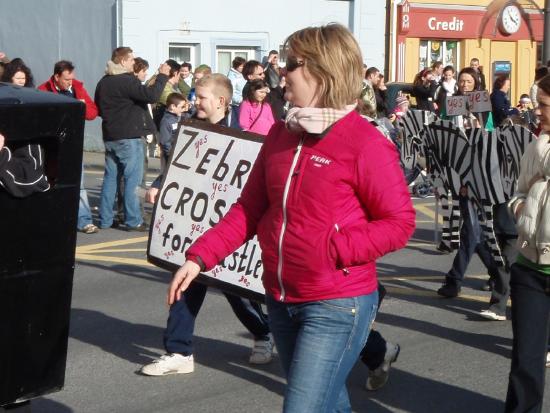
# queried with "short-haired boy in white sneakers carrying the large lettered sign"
point(213, 97)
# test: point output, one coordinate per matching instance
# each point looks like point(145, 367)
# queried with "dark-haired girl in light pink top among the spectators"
point(255, 114)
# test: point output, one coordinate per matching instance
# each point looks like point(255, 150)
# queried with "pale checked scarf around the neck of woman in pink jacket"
point(314, 120)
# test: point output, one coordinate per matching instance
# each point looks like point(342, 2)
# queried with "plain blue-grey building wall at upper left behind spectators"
point(44, 32)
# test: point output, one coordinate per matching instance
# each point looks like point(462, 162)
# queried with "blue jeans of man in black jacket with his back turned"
point(124, 156)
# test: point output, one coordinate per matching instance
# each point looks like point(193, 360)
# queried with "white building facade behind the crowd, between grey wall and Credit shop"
point(150, 26)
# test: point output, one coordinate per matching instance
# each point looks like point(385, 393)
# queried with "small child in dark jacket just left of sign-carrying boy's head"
point(176, 106)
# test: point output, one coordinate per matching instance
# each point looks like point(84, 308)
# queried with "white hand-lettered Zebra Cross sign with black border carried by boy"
point(207, 171)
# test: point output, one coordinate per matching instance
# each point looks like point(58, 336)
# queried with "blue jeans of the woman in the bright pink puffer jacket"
point(318, 343)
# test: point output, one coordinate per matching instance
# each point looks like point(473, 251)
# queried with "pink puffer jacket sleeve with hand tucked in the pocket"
point(382, 190)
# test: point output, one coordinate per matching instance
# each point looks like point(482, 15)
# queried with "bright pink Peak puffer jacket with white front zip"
point(324, 210)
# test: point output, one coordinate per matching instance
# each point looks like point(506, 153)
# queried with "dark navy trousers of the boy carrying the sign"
point(178, 336)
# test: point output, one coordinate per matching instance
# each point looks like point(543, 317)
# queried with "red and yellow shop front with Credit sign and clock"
point(503, 38)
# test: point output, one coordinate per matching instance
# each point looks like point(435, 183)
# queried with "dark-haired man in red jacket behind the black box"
point(63, 82)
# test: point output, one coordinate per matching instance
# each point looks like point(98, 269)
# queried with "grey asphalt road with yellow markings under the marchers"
point(451, 359)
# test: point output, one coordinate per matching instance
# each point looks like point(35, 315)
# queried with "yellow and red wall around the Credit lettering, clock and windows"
point(519, 49)
